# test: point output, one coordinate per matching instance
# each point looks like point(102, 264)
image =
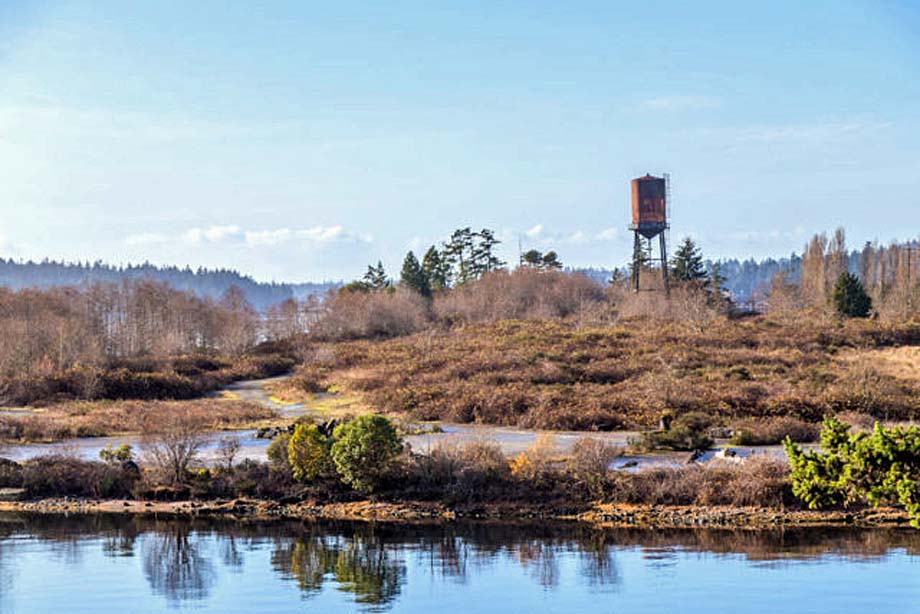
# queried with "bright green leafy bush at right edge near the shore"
point(877, 468)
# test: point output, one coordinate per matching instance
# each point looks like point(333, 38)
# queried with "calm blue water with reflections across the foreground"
point(104, 564)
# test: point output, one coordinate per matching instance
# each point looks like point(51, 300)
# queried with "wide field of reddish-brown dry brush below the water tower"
point(559, 375)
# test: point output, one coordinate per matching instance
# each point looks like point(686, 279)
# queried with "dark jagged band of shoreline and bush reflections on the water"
point(183, 561)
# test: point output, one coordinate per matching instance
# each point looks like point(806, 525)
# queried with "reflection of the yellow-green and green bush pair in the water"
point(360, 564)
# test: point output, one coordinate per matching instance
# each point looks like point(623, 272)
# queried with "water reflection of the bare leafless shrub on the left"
point(174, 566)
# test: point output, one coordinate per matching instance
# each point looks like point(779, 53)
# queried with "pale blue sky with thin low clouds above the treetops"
point(300, 141)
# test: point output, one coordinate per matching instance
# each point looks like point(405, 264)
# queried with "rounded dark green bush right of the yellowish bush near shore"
point(363, 450)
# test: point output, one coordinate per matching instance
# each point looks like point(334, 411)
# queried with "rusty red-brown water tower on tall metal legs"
point(650, 197)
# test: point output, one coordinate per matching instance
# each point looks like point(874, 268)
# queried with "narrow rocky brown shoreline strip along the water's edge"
point(414, 512)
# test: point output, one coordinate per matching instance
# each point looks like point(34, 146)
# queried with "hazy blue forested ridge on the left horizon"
point(206, 283)
